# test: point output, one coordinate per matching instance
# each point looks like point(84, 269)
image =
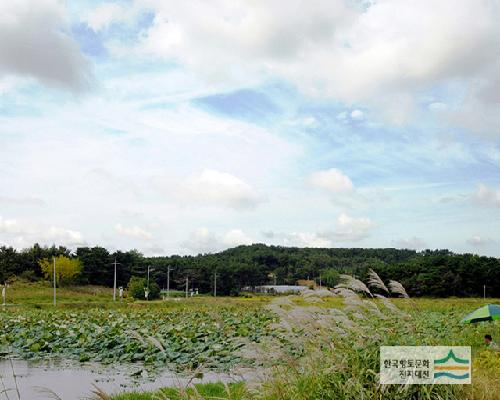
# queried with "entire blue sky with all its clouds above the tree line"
point(194, 127)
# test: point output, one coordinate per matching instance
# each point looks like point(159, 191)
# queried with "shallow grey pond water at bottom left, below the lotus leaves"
point(70, 381)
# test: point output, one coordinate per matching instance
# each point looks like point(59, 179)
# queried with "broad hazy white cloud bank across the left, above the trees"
point(107, 155)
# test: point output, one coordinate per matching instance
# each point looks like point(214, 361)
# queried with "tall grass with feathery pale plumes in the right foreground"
point(346, 365)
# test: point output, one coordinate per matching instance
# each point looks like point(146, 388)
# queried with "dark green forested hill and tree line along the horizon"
point(427, 273)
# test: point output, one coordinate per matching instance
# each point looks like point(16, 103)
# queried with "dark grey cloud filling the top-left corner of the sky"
point(34, 43)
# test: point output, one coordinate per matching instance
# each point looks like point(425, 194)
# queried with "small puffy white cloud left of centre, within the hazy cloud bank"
point(213, 187)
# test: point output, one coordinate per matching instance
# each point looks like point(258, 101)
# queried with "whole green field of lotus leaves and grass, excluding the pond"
point(313, 346)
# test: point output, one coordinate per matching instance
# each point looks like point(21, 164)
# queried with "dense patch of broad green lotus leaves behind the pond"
point(177, 336)
